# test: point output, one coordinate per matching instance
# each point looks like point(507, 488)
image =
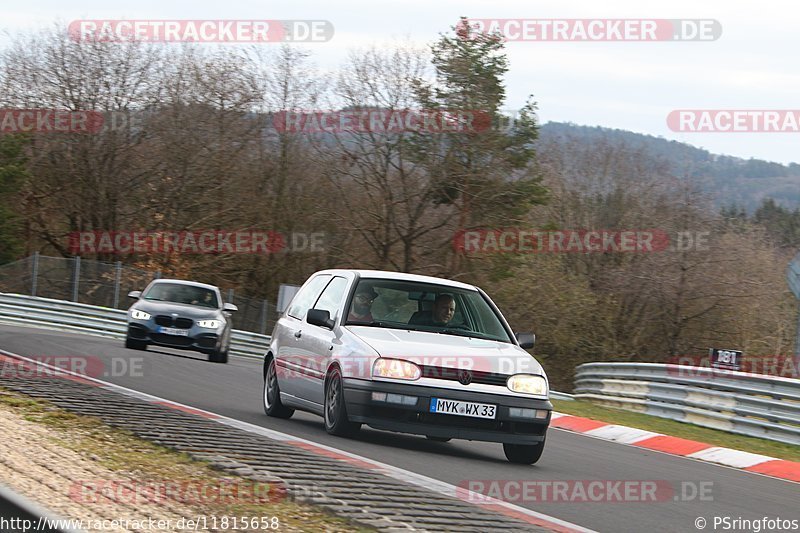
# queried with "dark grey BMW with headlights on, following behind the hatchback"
point(181, 314)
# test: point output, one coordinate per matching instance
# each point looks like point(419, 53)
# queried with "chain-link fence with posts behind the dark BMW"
point(108, 284)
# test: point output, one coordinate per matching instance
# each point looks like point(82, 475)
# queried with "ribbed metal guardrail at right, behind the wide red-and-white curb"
point(755, 405)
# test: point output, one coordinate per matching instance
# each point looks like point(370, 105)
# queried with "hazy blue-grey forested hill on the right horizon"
point(730, 180)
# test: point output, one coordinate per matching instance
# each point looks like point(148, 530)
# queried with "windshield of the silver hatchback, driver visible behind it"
point(424, 307)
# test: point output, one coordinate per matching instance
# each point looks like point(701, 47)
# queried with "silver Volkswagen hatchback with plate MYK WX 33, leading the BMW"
point(407, 353)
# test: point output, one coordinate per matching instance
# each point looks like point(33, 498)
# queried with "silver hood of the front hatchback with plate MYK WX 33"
point(450, 351)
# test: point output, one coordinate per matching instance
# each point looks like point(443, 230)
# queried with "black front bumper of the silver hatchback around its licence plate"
point(418, 419)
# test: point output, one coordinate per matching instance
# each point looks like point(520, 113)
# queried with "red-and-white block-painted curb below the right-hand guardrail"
point(751, 462)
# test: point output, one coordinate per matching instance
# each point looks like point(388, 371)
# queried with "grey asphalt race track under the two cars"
point(235, 389)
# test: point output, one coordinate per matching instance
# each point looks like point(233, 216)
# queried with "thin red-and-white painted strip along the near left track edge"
point(434, 485)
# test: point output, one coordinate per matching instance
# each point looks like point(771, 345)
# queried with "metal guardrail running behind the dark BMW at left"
point(99, 321)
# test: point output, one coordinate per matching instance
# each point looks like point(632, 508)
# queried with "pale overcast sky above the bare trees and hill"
point(753, 65)
